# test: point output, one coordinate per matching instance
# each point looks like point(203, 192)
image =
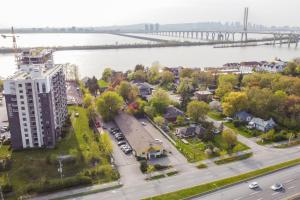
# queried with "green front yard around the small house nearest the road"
point(194, 150)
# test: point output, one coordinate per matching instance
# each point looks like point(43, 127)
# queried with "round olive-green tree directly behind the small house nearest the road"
point(197, 110)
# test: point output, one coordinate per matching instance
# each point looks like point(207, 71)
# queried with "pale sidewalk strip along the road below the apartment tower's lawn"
point(80, 191)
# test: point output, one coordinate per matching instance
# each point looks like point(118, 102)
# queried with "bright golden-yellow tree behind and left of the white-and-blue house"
point(234, 102)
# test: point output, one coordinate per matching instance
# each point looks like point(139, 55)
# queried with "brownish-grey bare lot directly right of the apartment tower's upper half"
point(74, 95)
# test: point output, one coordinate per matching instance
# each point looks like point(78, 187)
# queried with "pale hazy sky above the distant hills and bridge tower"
point(66, 13)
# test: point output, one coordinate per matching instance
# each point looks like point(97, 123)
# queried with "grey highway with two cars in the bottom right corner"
point(290, 178)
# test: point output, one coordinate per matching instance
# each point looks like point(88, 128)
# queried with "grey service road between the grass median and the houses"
point(263, 157)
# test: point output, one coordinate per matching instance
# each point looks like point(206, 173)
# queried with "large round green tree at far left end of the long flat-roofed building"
point(108, 104)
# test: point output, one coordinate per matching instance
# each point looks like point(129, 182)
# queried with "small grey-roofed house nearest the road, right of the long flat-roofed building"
point(191, 131)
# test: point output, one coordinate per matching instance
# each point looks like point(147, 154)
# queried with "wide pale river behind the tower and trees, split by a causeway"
point(92, 62)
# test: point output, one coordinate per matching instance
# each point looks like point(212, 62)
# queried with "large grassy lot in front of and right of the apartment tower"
point(39, 165)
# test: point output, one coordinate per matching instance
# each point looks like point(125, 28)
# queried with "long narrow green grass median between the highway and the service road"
point(206, 187)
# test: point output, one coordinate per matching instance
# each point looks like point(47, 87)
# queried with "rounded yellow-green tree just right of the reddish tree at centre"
point(159, 101)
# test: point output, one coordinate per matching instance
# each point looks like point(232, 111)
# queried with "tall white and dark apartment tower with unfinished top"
point(36, 100)
